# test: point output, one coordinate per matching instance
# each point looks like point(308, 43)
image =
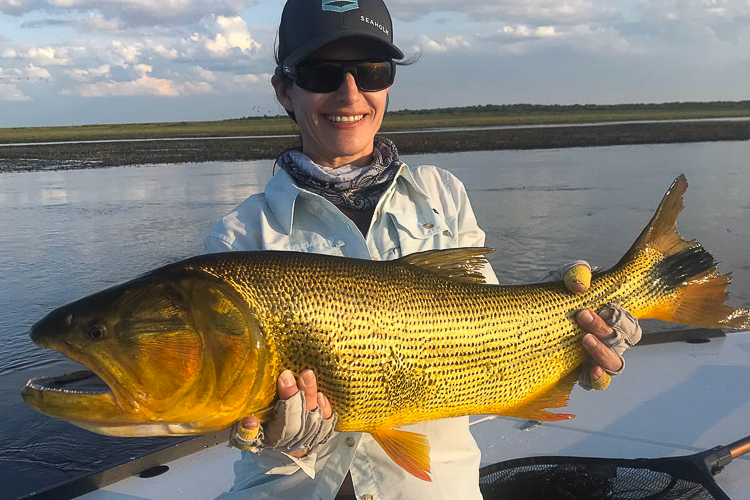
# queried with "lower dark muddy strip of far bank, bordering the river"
point(60, 156)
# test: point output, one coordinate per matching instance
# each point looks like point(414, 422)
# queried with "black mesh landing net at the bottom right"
point(570, 478)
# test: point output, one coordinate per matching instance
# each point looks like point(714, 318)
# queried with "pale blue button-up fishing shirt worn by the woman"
point(425, 208)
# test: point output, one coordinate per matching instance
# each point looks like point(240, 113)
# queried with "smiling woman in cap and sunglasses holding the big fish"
point(347, 193)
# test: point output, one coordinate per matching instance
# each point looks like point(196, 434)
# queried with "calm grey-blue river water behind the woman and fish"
point(68, 234)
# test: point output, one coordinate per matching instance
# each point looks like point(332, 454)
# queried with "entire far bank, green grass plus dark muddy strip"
point(271, 135)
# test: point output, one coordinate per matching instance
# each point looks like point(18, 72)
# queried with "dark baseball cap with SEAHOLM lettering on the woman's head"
point(307, 25)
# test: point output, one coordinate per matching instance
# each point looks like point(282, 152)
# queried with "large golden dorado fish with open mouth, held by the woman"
point(197, 345)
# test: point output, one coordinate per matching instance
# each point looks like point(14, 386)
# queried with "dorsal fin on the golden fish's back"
point(459, 264)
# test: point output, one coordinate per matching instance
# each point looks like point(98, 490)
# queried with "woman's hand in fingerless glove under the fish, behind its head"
point(303, 417)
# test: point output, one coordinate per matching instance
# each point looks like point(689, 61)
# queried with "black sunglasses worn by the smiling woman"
point(324, 76)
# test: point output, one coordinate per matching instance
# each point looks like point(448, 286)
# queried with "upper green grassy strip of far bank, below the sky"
point(471, 116)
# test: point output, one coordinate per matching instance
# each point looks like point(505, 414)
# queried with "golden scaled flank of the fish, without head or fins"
point(430, 338)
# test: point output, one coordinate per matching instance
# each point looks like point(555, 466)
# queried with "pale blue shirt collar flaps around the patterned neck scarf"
point(282, 193)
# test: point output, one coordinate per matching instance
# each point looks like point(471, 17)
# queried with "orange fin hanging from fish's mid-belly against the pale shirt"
point(408, 449)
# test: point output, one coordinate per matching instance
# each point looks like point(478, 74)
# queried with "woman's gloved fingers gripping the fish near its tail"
point(609, 334)
